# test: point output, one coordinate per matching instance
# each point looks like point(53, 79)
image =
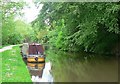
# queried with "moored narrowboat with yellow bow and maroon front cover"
point(33, 52)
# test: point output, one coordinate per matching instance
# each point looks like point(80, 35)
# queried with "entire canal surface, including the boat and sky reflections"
point(74, 67)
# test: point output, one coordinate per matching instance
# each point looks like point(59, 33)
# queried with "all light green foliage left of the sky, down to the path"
point(15, 31)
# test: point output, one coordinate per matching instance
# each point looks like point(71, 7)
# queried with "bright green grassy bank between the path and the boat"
point(13, 67)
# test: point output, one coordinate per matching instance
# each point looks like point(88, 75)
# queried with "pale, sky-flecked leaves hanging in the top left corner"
point(10, 8)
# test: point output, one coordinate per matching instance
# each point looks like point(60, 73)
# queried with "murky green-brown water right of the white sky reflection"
point(82, 67)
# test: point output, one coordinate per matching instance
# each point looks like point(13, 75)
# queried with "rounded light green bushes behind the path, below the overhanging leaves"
point(14, 32)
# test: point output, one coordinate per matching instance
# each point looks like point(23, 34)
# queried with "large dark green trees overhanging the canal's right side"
point(92, 27)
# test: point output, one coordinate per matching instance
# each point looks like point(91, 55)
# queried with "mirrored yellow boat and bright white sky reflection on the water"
point(40, 72)
